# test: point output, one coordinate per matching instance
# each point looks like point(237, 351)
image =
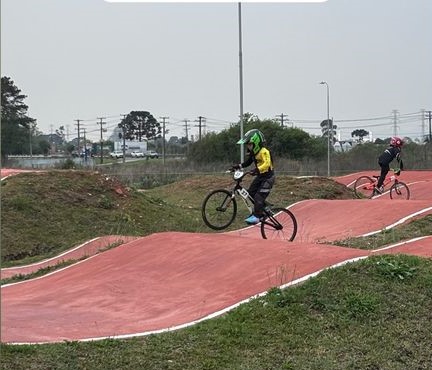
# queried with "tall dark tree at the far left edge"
point(17, 127)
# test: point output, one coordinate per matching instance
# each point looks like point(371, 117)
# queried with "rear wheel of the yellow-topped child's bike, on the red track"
point(279, 224)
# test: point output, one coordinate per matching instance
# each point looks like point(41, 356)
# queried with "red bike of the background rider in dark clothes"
point(365, 186)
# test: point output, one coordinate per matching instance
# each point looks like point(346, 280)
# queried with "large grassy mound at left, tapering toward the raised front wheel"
point(47, 213)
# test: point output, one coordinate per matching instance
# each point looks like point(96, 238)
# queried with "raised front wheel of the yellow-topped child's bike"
point(219, 209)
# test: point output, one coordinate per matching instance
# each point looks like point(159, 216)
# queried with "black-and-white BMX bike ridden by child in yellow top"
point(219, 210)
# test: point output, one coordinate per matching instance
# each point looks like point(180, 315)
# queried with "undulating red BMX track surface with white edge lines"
point(170, 280)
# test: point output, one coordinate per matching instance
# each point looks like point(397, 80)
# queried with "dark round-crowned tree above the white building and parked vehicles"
point(138, 125)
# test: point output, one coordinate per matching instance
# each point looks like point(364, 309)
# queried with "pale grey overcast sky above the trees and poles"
point(85, 59)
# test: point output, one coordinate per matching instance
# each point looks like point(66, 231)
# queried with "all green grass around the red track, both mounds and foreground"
point(372, 314)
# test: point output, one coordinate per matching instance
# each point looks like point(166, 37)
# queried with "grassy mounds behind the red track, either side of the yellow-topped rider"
point(46, 213)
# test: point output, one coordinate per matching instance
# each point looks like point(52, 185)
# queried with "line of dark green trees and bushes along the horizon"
point(19, 134)
